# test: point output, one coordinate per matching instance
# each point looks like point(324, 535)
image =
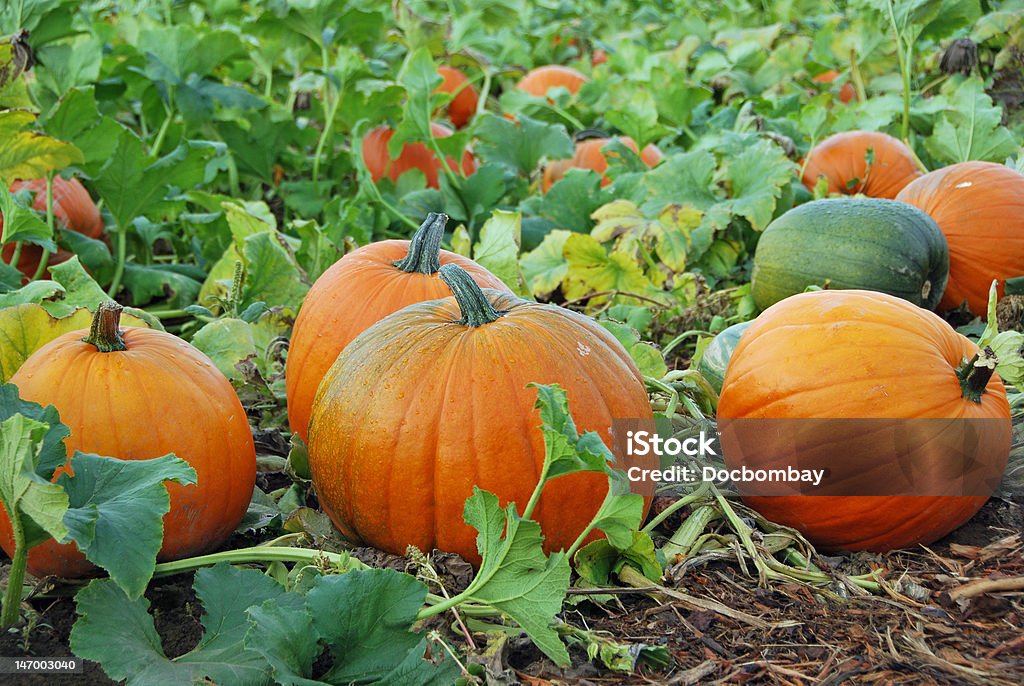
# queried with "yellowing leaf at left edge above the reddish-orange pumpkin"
point(28, 155)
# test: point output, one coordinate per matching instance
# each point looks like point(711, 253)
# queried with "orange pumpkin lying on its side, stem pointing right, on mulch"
point(875, 390)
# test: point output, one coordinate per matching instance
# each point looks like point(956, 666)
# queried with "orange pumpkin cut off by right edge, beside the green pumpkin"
point(980, 208)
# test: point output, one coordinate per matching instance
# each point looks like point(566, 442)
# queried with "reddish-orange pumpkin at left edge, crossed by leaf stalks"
point(73, 208)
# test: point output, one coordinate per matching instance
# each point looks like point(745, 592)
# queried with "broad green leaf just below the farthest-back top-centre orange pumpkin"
point(523, 144)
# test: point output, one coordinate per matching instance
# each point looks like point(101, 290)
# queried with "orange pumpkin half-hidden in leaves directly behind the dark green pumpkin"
point(842, 160)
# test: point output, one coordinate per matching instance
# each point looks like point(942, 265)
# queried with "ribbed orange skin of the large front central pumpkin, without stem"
point(419, 409)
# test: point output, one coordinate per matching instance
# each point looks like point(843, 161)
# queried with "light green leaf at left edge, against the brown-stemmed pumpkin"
point(23, 491)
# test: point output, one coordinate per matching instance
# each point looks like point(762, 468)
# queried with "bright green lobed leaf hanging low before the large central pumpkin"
point(516, 577)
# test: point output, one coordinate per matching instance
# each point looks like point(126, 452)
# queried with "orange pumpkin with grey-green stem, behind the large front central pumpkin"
point(358, 291)
